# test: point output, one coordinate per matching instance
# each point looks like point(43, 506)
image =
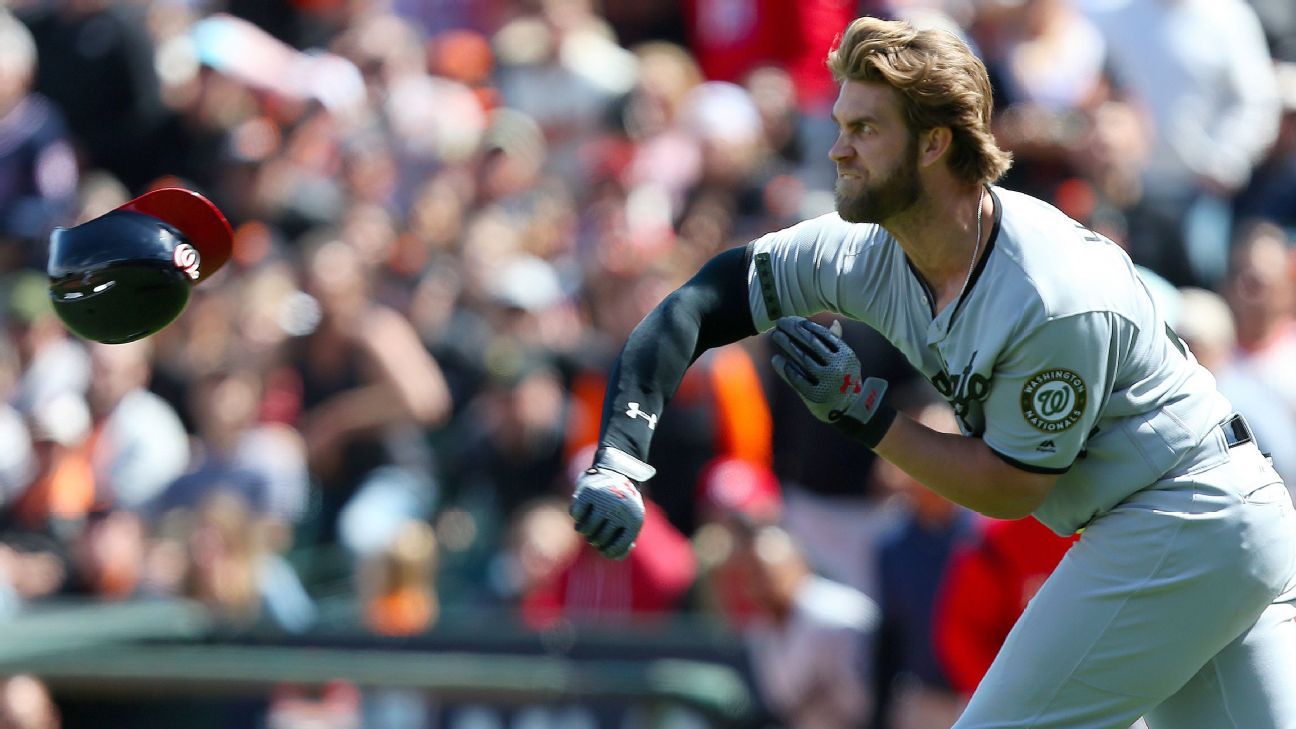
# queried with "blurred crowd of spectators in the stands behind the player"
point(448, 217)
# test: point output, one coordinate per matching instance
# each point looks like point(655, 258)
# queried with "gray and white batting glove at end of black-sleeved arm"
point(607, 505)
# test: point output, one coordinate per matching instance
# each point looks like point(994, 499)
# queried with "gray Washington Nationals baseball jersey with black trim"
point(1056, 356)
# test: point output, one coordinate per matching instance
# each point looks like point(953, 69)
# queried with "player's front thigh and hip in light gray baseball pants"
point(1154, 590)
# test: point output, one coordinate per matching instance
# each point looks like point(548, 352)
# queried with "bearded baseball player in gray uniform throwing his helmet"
point(1078, 405)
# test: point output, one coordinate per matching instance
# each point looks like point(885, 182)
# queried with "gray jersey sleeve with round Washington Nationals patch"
point(1049, 391)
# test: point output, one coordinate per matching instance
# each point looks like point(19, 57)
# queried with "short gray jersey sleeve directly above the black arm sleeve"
point(802, 270)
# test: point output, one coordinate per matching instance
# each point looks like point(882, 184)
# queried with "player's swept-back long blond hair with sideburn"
point(940, 81)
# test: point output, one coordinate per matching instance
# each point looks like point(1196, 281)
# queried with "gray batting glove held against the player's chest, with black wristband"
point(826, 373)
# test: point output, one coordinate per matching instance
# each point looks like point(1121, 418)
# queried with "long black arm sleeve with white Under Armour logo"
point(711, 311)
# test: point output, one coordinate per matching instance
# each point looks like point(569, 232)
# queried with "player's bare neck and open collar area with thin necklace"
point(939, 235)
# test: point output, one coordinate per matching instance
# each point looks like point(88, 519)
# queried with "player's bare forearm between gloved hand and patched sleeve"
point(964, 470)
